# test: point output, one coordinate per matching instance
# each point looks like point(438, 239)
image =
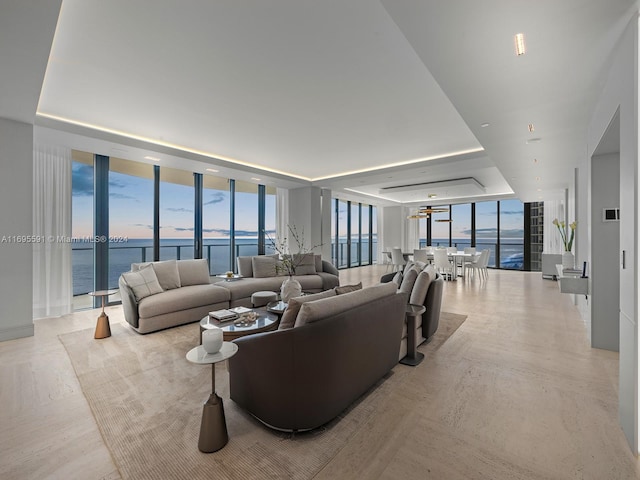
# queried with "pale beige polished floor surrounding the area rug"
point(515, 393)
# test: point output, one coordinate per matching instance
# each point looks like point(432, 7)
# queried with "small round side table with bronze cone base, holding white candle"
point(213, 427)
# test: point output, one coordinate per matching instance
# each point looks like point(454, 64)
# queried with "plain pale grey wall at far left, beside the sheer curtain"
point(16, 275)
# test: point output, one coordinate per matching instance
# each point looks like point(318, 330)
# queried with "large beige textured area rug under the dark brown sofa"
point(147, 401)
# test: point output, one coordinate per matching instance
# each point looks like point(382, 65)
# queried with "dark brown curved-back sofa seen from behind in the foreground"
point(301, 378)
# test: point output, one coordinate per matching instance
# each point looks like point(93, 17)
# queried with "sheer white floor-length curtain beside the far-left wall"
point(52, 284)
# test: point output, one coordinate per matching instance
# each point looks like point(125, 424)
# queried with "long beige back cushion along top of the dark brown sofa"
point(317, 310)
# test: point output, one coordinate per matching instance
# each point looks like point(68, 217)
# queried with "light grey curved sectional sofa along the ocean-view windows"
point(159, 295)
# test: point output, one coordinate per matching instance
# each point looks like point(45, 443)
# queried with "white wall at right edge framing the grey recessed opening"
point(620, 91)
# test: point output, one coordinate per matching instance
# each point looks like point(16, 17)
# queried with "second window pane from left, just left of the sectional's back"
point(130, 216)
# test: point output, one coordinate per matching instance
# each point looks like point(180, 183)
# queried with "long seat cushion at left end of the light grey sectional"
point(183, 298)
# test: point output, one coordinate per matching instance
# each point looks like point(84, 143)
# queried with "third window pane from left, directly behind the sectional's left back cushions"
point(176, 214)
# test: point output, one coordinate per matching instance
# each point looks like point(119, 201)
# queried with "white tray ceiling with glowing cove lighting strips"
point(396, 90)
